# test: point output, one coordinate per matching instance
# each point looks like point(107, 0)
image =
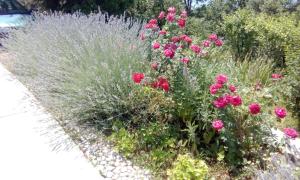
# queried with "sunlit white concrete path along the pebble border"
point(32, 145)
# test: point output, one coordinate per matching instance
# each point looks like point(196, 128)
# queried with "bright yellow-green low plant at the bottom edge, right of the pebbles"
point(187, 168)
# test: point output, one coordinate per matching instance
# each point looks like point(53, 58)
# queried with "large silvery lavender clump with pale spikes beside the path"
point(78, 66)
